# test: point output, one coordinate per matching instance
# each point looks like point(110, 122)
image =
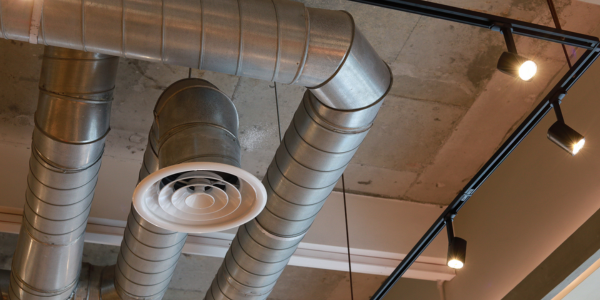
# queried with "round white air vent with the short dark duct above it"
point(196, 134)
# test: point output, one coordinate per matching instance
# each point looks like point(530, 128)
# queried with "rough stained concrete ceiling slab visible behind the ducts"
point(447, 111)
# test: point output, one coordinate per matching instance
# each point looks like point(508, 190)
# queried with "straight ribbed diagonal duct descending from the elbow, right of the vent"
point(317, 147)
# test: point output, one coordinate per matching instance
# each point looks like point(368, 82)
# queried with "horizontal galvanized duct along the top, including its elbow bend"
point(275, 40)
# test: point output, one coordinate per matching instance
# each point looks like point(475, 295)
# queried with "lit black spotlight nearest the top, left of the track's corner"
point(512, 63)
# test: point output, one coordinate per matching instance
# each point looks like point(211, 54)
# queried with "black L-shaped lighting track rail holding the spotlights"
point(590, 43)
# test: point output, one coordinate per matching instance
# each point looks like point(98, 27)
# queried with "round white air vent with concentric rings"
point(199, 197)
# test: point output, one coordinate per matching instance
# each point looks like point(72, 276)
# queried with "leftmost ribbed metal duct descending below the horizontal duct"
point(71, 124)
